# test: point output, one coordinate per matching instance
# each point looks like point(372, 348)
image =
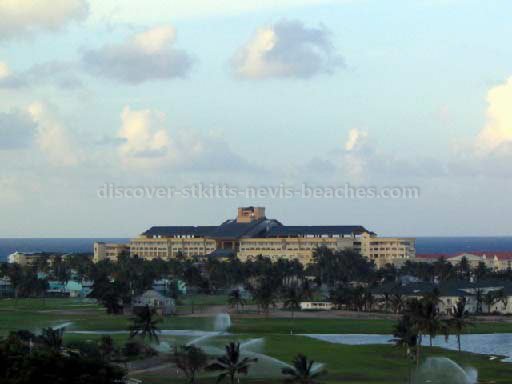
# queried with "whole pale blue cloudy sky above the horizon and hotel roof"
point(255, 94)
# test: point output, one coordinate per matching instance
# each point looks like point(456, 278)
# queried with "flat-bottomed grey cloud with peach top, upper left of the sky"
point(146, 56)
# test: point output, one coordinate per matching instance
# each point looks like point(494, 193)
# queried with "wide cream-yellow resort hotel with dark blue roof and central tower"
point(252, 234)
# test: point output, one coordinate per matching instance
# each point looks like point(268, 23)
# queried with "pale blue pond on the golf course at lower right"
point(486, 344)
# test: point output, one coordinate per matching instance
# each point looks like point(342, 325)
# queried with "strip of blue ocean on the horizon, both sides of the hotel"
point(423, 245)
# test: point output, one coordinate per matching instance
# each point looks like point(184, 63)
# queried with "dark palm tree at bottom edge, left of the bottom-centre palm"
point(231, 364)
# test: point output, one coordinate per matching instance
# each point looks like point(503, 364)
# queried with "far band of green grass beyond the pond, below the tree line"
point(34, 314)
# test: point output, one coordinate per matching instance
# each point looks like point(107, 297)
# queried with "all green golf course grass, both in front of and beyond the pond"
point(347, 364)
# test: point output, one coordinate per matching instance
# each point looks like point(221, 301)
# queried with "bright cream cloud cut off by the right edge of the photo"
point(497, 132)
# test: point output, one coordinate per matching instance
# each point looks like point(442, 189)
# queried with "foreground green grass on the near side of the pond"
point(369, 364)
